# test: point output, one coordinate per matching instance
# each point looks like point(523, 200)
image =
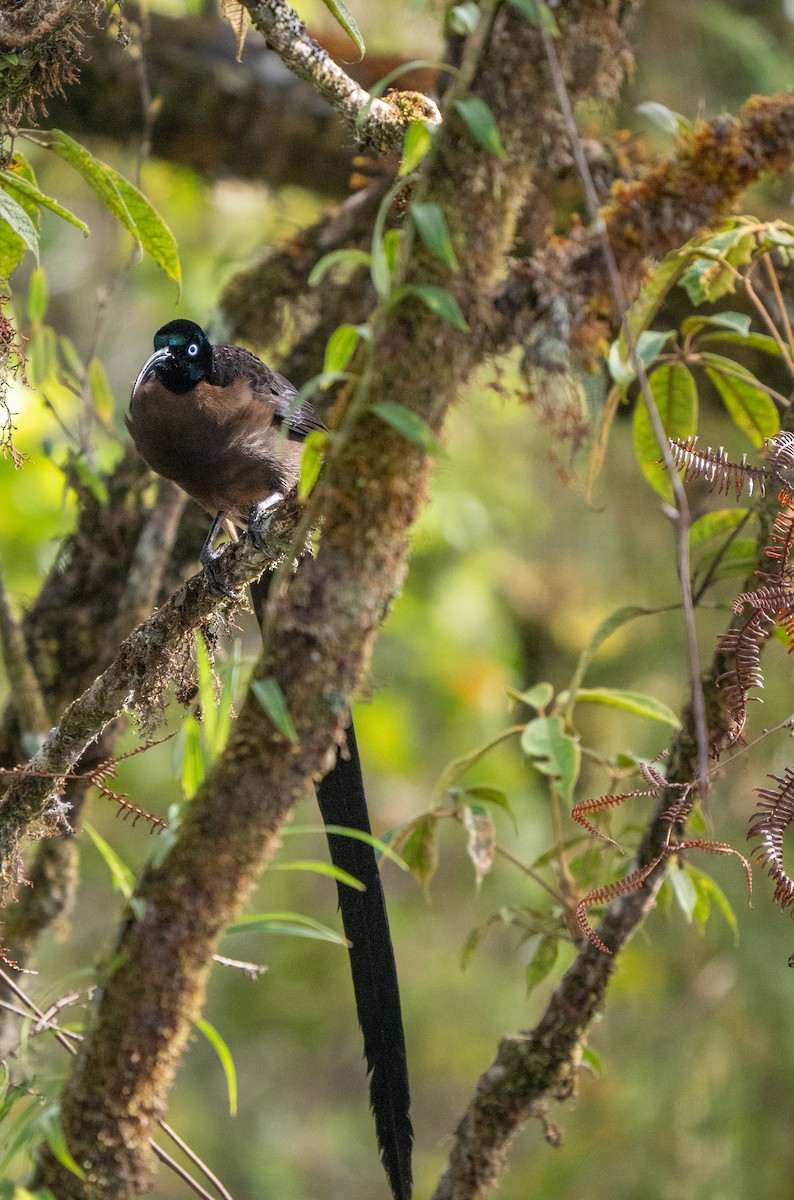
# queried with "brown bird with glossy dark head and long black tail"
point(228, 430)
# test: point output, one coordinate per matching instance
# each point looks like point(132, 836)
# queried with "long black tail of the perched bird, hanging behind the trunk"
point(342, 802)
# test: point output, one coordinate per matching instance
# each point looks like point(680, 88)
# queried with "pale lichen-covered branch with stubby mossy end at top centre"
point(377, 124)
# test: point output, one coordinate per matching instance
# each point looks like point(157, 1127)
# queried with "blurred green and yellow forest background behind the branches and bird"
point(512, 573)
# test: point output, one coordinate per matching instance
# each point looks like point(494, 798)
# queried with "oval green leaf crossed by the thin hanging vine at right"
point(677, 400)
